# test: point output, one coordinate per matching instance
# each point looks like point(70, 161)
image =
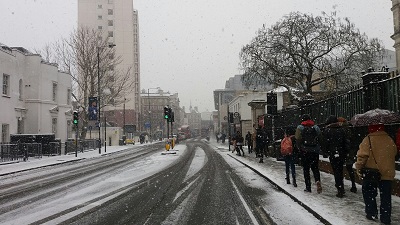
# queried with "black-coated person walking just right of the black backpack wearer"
point(336, 145)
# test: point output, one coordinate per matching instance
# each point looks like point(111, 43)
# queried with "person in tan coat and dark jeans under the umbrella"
point(377, 150)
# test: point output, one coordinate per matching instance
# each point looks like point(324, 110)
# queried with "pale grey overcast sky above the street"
point(189, 47)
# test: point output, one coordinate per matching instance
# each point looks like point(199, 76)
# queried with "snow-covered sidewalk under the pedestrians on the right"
point(347, 210)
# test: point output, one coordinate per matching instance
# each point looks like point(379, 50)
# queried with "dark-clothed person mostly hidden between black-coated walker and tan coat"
point(351, 154)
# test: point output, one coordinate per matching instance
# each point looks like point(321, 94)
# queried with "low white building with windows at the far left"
point(36, 97)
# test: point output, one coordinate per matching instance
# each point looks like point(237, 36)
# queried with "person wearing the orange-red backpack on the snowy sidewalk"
point(288, 152)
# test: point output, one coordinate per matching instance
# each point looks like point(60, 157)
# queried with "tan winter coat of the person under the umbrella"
point(384, 152)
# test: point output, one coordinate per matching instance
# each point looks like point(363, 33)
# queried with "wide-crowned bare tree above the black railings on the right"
point(302, 51)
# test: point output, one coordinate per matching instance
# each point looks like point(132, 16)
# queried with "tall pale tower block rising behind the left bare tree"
point(119, 22)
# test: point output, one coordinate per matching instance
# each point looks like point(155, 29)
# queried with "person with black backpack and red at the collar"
point(308, 136)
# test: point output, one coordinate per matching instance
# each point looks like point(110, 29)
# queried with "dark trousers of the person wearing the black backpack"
point(310, 160)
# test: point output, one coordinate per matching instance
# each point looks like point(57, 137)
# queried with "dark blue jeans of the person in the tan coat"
point(369, 190)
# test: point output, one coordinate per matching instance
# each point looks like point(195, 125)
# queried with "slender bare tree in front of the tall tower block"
point(81, 55)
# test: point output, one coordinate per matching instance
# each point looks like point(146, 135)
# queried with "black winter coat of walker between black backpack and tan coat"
point(336, 142)
